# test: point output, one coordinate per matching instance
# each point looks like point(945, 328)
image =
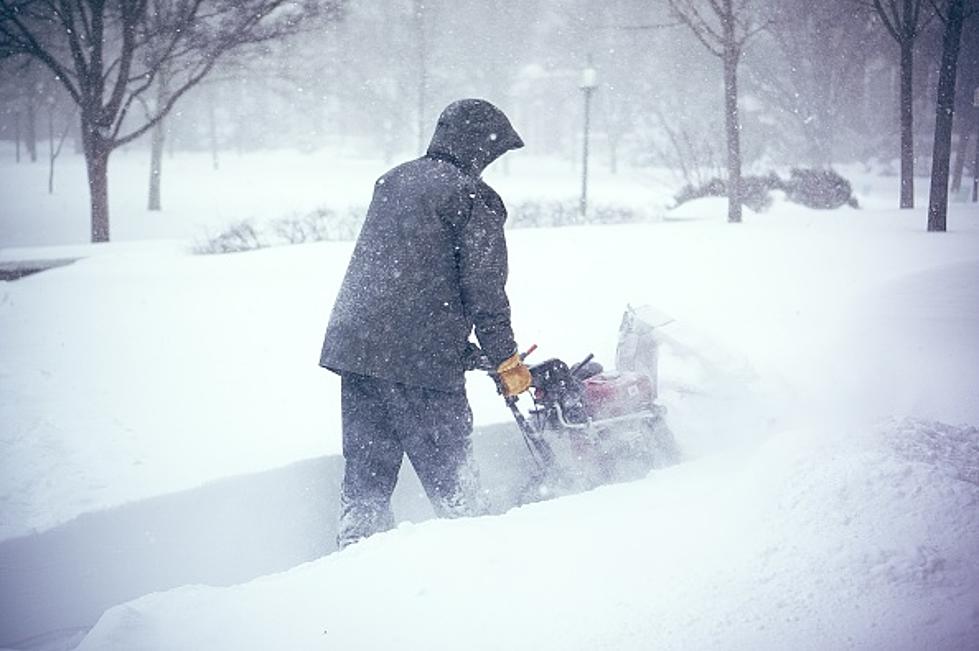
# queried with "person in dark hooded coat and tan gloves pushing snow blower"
point(430, 264)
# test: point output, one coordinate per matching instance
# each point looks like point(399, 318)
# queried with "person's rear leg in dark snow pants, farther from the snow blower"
point(372, 456)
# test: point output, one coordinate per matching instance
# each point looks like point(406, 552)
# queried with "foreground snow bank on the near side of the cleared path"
point(818, 539)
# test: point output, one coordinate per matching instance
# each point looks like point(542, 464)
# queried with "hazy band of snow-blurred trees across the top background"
point(782, 83)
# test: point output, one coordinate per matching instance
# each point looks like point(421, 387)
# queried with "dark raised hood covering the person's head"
point(473, 133)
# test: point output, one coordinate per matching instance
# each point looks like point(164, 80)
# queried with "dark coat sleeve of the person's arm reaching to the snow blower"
point(483, 273)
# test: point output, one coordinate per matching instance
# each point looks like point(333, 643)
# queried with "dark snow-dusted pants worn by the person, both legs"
point(383, 421)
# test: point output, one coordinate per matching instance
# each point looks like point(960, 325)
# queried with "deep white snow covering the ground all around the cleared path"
point(824, 385)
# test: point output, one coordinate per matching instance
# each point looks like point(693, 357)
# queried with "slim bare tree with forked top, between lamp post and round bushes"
point(723, 27)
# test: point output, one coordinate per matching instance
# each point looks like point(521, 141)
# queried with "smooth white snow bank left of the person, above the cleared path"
point(125, 374)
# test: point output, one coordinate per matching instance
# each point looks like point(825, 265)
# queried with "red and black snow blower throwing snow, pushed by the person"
point(588, 426)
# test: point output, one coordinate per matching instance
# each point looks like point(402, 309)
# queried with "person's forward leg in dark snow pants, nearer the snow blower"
point(435, 428)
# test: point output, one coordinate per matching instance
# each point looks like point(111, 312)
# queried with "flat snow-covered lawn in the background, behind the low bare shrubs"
point(259, 187)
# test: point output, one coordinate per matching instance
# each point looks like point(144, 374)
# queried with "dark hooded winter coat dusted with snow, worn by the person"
point(430, 263)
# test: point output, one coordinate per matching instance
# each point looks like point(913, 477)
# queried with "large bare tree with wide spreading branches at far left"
point(107, 57)
